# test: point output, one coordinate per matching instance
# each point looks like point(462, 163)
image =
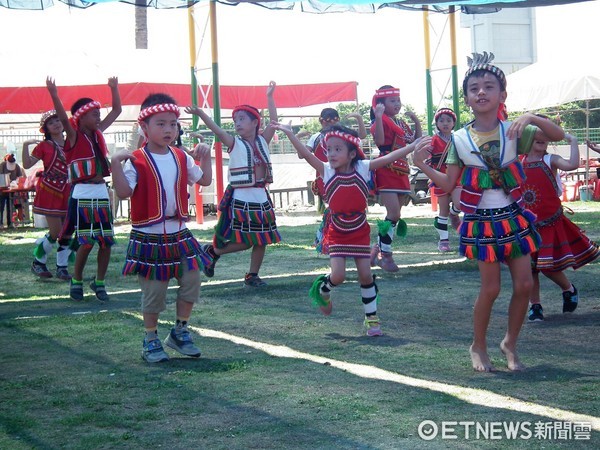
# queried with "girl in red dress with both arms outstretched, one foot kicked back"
point(347, 232)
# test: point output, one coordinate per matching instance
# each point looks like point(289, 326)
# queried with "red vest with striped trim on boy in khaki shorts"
point(148, 201)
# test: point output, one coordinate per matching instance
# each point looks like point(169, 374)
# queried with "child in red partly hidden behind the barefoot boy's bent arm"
point(445, 119)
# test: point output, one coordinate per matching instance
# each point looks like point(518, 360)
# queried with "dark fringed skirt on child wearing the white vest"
point(245, 222)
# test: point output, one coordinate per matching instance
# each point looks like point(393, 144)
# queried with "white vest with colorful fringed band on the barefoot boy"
point(478, 175)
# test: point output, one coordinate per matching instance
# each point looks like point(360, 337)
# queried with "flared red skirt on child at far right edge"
point(563, 245)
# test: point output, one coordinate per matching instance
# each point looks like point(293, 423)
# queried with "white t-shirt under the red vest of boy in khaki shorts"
point(168, 173)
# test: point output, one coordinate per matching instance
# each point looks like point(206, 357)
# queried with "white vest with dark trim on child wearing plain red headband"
point(241, 163)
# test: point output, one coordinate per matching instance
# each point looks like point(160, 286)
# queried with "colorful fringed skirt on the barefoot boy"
point(495, 235)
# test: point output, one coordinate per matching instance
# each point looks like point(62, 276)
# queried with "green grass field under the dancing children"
point(276, 374)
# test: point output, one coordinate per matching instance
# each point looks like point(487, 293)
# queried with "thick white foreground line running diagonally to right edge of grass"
point(469, 395)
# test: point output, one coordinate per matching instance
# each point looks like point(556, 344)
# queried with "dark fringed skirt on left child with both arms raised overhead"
point(89, 221)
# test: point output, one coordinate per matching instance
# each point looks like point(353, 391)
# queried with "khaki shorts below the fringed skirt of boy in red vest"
point(154, 292)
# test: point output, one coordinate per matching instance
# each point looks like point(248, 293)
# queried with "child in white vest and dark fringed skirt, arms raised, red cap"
point(247, 217)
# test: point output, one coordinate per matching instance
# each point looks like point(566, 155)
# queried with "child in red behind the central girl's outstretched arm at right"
point(391, 182)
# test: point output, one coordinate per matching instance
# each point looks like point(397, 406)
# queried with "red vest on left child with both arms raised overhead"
point(82, 161)
